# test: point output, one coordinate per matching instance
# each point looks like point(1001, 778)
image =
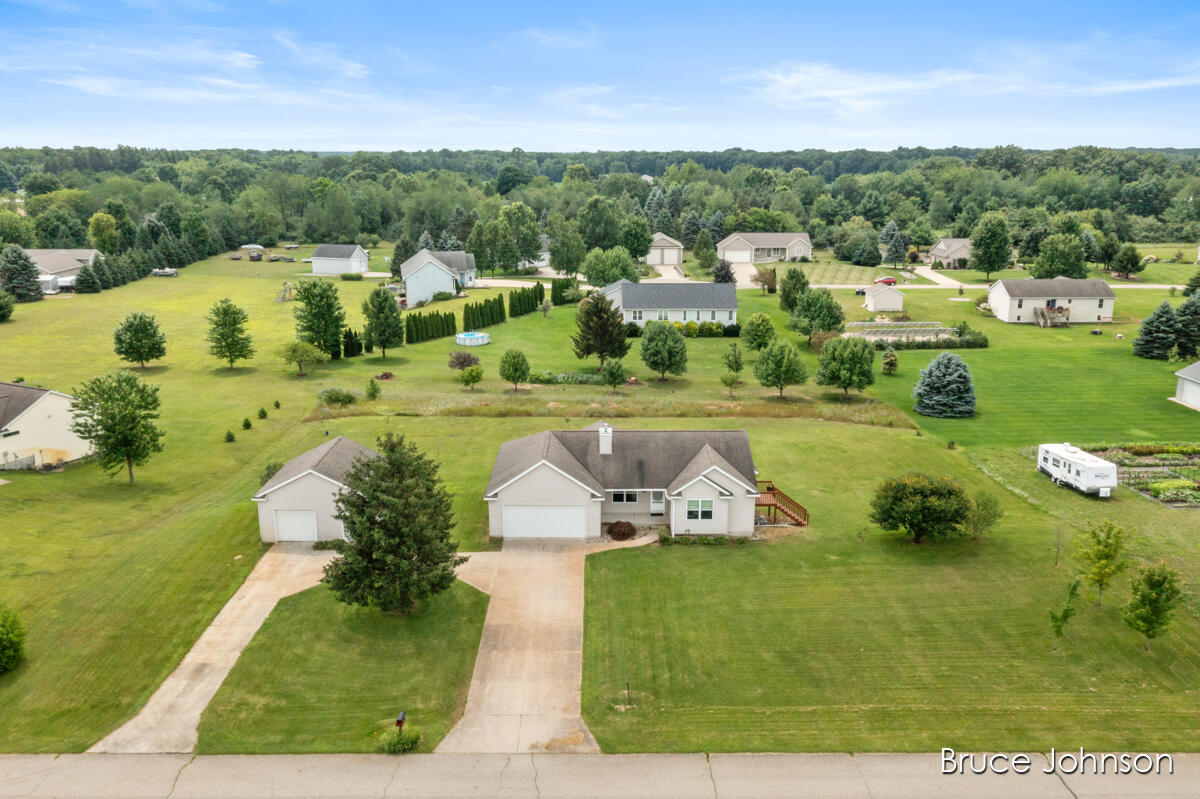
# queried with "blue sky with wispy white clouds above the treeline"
point(565, 76)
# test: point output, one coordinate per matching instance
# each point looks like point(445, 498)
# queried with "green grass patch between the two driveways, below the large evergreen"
point(325, 677)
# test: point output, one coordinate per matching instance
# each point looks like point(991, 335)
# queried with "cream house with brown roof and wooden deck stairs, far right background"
point(1054, 302)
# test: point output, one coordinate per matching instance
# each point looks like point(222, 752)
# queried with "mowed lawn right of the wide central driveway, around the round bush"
point(847, 639)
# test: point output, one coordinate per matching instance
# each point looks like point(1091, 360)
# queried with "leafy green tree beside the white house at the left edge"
point(116, 413)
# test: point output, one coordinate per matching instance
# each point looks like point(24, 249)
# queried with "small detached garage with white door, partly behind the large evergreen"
point(297, 504)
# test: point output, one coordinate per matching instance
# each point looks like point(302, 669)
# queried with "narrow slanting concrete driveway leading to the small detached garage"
point(169, 722)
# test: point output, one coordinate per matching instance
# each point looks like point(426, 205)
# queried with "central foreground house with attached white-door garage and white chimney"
point(569, 484)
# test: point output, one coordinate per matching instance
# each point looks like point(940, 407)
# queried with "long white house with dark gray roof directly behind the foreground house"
point(693, 302)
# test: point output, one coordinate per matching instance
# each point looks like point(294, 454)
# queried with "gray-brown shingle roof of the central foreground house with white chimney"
point(640, 459)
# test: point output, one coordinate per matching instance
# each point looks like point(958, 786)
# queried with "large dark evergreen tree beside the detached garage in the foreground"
point(398, 546)
